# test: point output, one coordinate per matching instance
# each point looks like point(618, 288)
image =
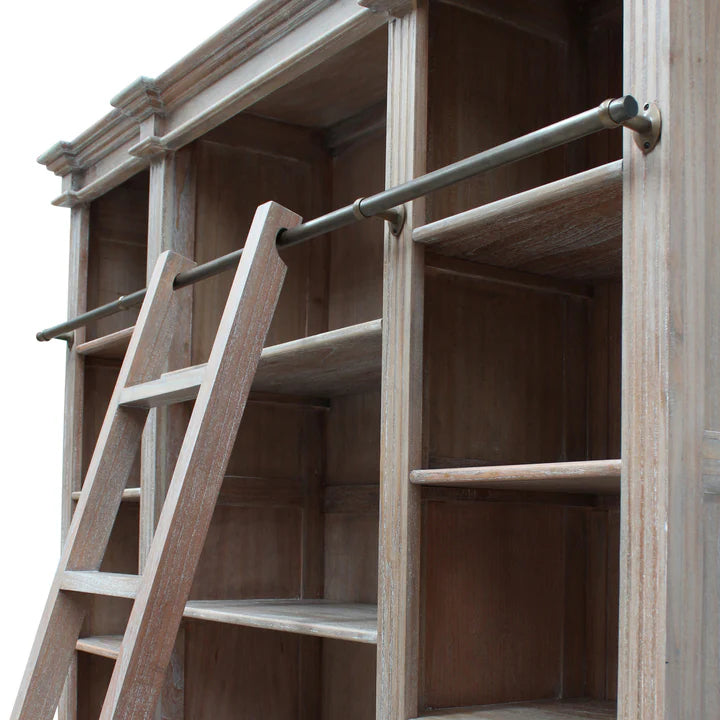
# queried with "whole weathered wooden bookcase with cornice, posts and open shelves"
point(375, 551)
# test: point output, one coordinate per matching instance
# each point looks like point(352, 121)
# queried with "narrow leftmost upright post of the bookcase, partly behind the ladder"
point(74, 390)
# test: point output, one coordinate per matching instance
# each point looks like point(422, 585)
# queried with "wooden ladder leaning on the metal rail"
point(161, 592)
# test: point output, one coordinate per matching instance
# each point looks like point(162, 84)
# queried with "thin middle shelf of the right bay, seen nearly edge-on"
point(589, 476)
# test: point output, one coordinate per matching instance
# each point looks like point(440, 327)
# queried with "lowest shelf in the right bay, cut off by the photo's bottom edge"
point(546, 710)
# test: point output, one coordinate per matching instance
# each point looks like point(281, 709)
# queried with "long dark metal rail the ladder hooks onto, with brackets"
point(389, 203)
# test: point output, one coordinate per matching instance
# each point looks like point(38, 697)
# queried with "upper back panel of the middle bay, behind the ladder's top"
point(232, 181)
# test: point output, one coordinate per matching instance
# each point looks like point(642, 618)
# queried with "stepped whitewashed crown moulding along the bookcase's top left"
point(269, 45)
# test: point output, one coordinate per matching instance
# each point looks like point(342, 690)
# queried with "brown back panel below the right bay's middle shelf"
point(495, 581)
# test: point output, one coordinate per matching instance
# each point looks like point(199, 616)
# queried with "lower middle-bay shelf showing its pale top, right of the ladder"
point(321, 618)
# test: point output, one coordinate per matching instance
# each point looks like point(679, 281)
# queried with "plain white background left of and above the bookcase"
point(61, 64)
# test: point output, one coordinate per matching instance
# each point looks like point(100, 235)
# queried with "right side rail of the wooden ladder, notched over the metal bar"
point(188, 508)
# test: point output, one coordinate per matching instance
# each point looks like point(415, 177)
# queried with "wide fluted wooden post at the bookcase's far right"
point(670, 307)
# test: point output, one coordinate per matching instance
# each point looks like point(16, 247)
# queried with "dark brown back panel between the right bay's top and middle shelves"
point(506, 374)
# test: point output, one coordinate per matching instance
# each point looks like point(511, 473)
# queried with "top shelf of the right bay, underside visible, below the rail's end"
point(570, 228)
